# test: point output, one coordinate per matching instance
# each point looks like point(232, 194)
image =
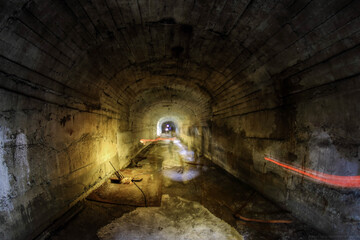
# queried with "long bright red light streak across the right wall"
point(335, 180)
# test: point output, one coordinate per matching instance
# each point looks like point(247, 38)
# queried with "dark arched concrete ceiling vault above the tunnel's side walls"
point(228, 55)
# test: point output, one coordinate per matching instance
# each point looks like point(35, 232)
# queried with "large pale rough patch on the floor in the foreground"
point(177, 218)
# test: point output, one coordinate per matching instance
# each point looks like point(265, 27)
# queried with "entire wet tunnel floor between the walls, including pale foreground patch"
point(186, 198)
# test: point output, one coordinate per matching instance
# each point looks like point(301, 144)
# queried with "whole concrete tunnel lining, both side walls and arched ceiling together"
point(81, 82)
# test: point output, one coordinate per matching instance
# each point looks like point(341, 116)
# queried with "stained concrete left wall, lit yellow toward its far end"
point(50, 157)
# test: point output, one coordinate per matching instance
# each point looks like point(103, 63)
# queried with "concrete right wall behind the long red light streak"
point(316, 129)
